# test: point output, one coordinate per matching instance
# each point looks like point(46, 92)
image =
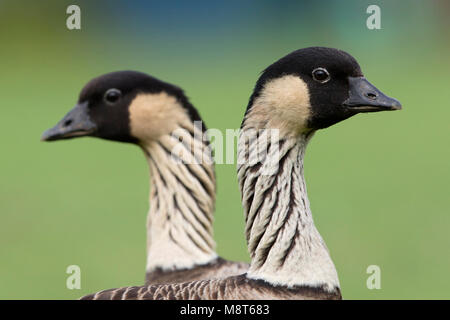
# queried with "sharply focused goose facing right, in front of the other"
point(307, 90)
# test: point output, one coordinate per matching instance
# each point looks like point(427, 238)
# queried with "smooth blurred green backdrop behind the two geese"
point(378, 183)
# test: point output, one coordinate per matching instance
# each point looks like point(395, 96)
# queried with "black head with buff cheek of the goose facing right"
point(311, 89)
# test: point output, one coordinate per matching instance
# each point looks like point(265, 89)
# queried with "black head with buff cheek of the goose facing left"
point(125, 106)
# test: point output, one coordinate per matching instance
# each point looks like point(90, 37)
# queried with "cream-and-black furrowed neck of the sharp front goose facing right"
point(284, 244)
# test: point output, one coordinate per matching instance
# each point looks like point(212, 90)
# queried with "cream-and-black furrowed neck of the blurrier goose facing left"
point(182, 199)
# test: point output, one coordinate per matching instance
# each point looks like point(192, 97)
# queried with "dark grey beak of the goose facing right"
point(365, 97)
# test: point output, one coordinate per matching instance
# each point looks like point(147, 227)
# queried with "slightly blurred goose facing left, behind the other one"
point(133, 107)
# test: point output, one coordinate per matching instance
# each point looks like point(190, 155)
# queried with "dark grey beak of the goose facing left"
point(76, 123)
